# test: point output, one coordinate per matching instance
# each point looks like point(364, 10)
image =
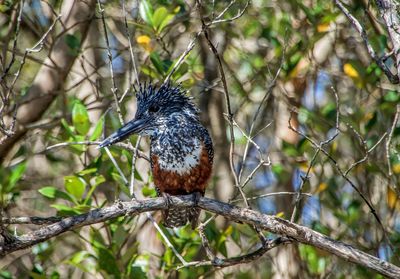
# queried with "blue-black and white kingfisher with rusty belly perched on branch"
point(181, 149)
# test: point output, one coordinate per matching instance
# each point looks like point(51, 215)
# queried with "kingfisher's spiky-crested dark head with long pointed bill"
point(155, 108)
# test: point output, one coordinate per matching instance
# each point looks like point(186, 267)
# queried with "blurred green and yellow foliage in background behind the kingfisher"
point(269, 35)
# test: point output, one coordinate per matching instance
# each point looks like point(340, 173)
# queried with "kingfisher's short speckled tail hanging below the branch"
point(177, 217)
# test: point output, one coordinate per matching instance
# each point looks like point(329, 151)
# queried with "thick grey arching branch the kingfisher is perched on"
point(270, 223)
